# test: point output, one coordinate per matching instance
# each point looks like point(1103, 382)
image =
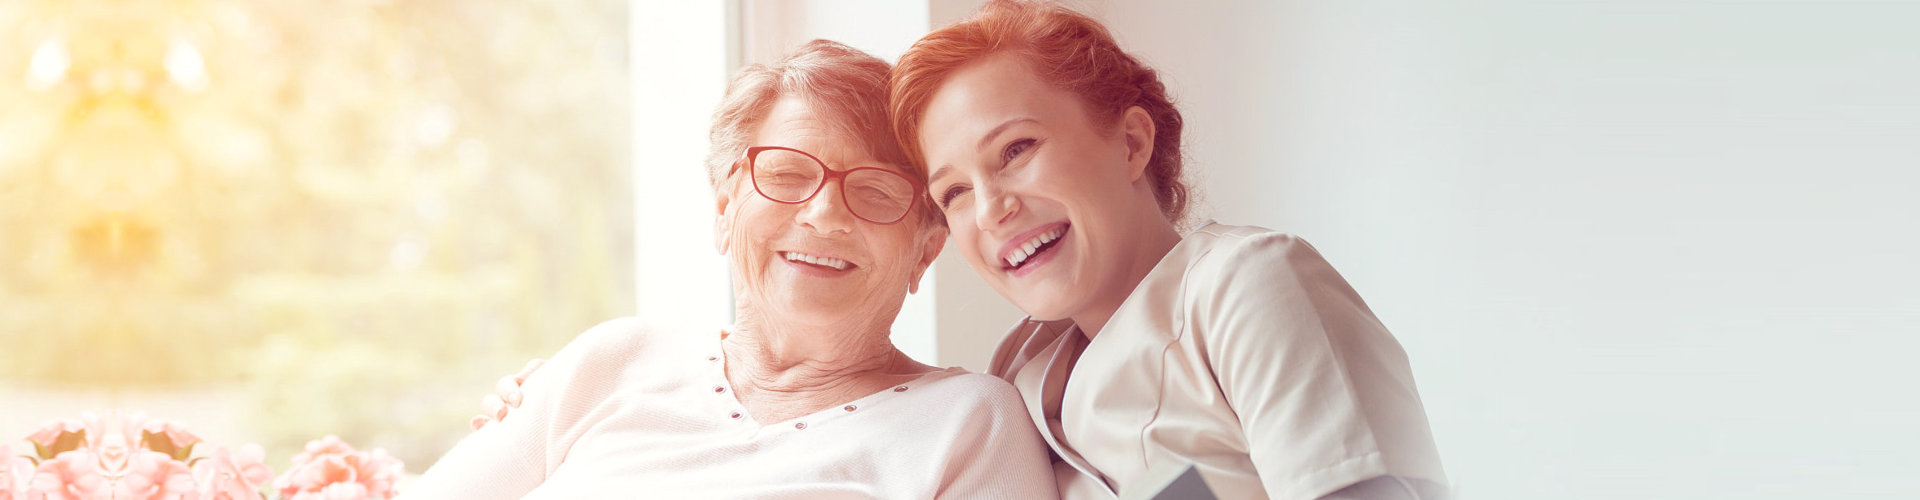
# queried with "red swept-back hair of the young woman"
point(1068, 51)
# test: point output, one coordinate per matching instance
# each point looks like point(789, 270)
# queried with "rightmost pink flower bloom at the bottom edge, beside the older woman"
point(333, 470)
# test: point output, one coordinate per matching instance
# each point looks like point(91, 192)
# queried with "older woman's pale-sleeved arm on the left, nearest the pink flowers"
point(514, 457)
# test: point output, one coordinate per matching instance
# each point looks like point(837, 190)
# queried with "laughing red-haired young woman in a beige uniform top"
point(1055, 159)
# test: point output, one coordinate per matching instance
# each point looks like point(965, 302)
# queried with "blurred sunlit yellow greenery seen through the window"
point(347, 212)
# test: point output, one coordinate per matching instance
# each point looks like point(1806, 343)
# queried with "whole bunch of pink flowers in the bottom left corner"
point(135, 459)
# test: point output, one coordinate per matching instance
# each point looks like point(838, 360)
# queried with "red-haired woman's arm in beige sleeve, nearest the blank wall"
point(1324, 391)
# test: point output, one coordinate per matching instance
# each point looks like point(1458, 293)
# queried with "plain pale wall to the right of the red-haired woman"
point(1635, 249)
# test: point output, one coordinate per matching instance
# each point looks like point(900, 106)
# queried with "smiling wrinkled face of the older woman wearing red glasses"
point(815, 262)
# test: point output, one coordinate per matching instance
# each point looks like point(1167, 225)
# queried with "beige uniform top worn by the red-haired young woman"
point(1241, 353)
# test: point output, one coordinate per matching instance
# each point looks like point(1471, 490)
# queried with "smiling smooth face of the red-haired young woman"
point(1040, 199)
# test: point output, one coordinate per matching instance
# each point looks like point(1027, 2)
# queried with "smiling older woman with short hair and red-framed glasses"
point(804, 397)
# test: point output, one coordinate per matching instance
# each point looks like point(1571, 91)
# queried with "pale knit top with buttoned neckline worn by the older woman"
point(636, 412)
